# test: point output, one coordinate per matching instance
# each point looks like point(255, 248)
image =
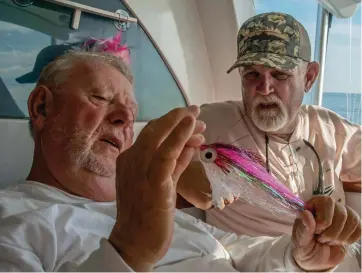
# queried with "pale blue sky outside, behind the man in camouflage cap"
point(343, 65)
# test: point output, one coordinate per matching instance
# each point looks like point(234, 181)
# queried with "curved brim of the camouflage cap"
point(271, 60)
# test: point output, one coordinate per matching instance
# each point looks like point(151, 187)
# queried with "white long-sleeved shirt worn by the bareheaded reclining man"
point(45, 229)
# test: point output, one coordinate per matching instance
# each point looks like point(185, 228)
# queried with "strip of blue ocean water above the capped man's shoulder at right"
point(346, 105)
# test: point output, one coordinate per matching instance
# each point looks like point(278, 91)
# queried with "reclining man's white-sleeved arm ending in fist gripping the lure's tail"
point(308, 248)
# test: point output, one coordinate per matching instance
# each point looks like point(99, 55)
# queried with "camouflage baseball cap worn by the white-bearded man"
point(275, 40)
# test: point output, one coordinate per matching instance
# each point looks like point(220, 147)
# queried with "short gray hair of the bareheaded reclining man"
point(56, 72)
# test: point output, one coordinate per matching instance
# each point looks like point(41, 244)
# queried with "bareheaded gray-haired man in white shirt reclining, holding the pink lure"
point(93, 202)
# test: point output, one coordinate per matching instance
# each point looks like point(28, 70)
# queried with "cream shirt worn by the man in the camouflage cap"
point(337, 142)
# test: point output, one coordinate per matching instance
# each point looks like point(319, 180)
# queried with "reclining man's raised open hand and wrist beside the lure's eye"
point(146, 181)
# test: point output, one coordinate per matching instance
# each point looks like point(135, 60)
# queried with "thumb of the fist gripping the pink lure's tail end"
point(303, 230)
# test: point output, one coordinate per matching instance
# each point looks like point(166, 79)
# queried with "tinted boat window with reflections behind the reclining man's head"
point(32, 36)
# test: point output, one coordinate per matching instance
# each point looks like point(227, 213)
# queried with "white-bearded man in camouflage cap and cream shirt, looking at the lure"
point(308, 148)
